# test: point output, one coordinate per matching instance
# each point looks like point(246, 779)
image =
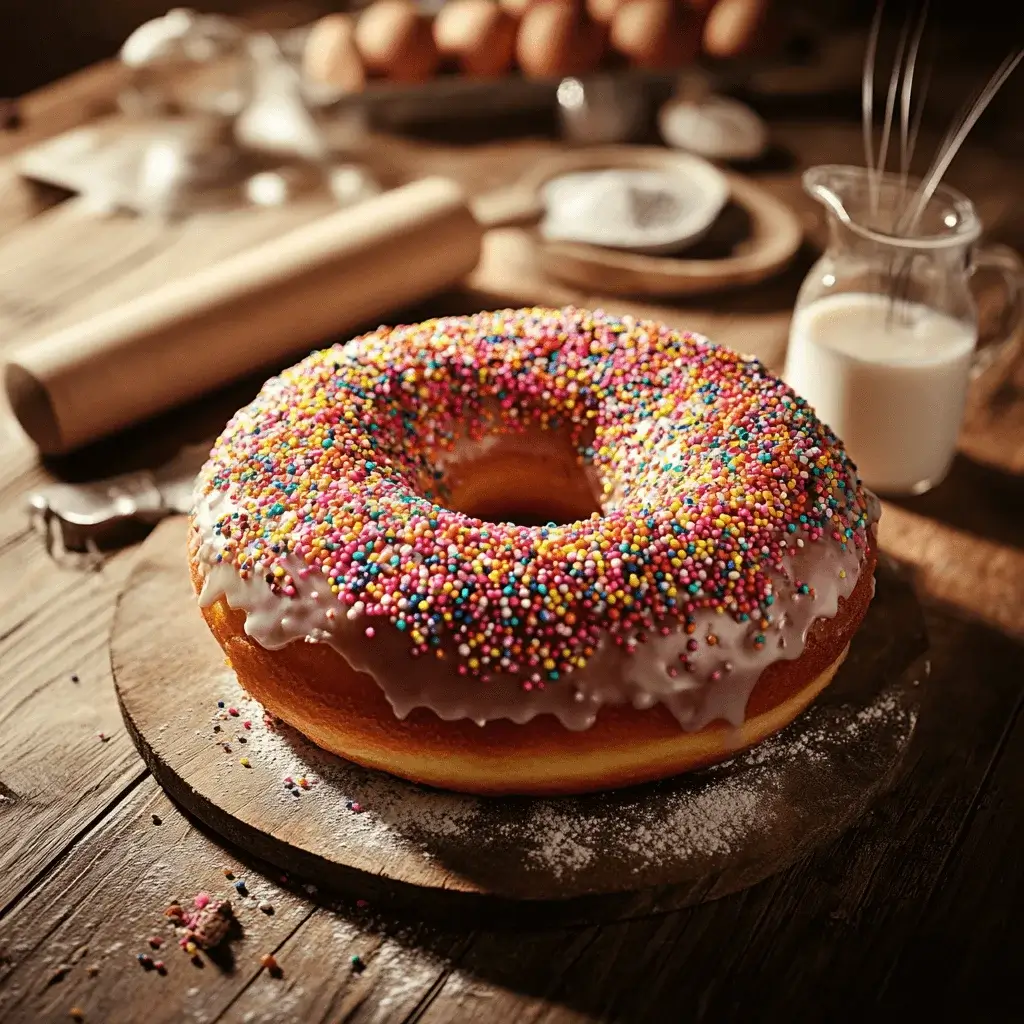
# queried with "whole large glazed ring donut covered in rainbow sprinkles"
point(709, 556)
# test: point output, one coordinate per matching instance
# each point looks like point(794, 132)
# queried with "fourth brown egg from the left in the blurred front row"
point(557, 38)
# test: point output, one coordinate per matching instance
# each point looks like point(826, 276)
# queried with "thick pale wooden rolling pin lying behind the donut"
point(253, 311)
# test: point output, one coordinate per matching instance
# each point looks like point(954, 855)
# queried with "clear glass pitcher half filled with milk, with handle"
point(884, 339)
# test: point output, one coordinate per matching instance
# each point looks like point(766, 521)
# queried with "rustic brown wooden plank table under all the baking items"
point(921, 901)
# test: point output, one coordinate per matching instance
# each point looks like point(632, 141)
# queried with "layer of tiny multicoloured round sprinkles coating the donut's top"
point(713, 471)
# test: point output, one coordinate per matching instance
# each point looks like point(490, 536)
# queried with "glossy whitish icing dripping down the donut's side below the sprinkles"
point(635, 674)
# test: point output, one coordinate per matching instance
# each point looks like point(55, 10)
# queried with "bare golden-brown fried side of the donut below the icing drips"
point(313, 689)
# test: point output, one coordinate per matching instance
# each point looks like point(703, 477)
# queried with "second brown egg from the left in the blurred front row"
point(396, 40)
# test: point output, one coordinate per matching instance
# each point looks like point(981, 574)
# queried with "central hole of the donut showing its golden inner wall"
point(531, 479)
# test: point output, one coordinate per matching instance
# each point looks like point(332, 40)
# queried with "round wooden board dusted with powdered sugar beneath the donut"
point(614, 855)
